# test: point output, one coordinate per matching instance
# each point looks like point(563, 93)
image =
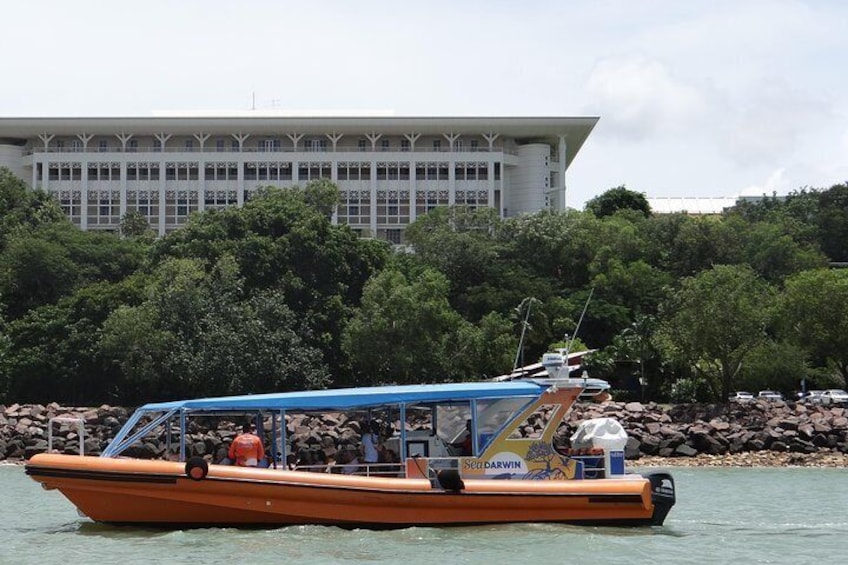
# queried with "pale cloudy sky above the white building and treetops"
point(696, 98)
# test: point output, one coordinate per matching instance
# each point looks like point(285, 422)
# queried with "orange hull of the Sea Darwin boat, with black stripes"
point(160, 493)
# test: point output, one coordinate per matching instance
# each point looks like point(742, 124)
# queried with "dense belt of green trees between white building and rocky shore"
point(274, 296)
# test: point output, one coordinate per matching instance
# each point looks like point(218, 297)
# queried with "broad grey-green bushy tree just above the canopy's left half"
point(199, 334)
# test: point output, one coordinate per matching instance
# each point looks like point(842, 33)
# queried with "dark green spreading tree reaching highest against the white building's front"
point(280, 240)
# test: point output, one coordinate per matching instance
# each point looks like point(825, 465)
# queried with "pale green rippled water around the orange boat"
point(795, 516)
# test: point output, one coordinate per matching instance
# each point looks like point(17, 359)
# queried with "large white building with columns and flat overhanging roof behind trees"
point(390, 169)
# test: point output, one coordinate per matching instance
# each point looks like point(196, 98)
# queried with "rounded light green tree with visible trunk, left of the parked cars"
point(714, 321)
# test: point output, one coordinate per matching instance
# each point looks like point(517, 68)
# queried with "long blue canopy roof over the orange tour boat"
point(350, 398)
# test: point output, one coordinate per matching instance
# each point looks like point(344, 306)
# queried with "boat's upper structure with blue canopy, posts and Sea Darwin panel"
point(502, 430)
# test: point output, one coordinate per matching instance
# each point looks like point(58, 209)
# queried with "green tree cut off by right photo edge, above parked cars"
point(813, 313)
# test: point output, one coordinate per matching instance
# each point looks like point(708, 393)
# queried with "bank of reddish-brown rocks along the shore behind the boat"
point(737, 434)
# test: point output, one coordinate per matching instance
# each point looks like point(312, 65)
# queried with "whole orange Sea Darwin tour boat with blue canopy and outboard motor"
point(509, 476)
